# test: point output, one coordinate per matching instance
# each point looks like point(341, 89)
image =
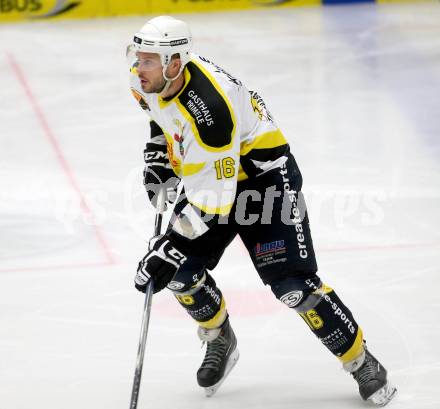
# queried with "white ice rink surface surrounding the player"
point(356, 90)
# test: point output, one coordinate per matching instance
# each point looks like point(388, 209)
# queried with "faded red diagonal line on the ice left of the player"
point(59, 154)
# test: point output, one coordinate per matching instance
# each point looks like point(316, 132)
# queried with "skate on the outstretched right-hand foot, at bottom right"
point(371, 377)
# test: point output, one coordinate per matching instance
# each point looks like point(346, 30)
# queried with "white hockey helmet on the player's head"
point(166, 36)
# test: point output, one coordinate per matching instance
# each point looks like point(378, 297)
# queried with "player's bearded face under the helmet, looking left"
point(150, 72)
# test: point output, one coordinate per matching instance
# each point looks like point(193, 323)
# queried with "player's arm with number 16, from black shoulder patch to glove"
point(209, 148)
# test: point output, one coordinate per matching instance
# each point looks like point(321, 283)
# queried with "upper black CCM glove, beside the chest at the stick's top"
point(158, 173)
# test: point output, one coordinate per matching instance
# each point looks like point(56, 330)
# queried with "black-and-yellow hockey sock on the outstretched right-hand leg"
point(332, 322)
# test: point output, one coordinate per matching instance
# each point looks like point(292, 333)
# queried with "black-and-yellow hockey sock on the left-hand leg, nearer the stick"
point(204, 302)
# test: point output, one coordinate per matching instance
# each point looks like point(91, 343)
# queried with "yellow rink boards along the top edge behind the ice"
point(16, 10)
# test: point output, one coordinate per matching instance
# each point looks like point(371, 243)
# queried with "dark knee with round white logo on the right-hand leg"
point(298, 293)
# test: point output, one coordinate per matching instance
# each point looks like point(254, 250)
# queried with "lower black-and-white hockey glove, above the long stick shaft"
point(160, 264)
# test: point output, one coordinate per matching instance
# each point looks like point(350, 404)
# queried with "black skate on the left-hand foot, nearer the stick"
point(221, 356)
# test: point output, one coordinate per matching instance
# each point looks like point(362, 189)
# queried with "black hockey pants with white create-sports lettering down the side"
point(273, 226)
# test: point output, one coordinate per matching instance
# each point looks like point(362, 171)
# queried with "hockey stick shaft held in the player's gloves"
point(147, 309)
